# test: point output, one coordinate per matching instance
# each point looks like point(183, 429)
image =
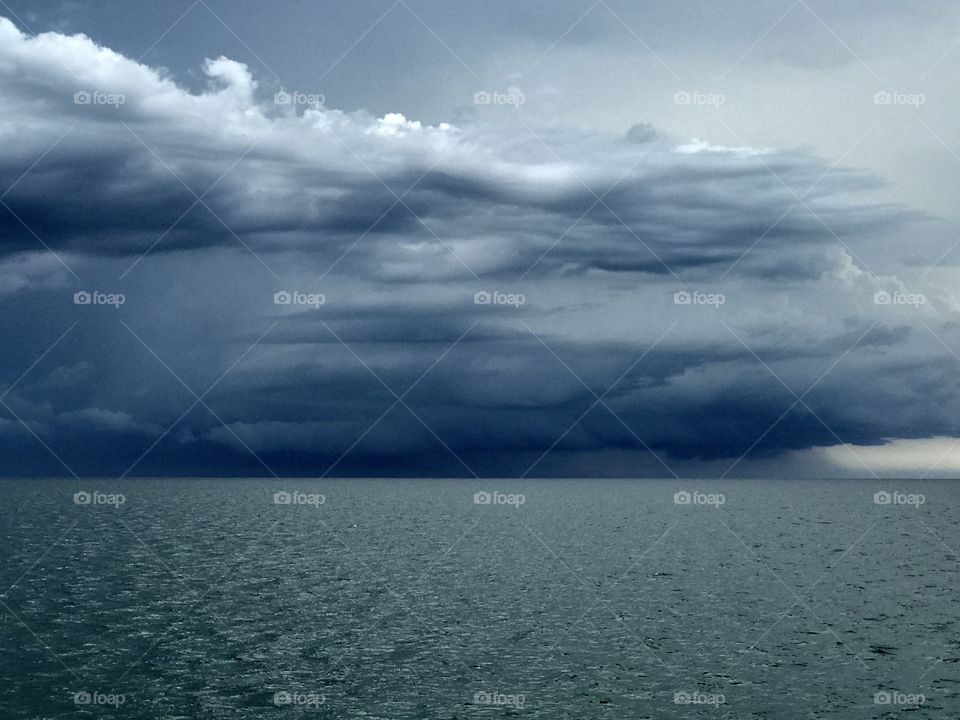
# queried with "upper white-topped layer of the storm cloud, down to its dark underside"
point(122, 176)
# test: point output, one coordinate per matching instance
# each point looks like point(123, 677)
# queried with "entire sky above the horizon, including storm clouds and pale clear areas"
point(423, 238)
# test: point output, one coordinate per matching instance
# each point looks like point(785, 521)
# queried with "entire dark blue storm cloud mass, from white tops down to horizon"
point(400, 365)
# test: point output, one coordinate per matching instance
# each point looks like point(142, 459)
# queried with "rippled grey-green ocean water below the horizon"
point(198, 598)
